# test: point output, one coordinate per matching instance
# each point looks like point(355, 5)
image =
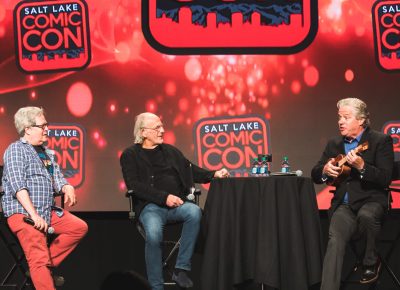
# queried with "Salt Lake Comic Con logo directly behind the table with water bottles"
point(231, 142)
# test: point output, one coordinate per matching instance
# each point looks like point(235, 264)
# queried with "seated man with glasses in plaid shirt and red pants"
point(30, 179)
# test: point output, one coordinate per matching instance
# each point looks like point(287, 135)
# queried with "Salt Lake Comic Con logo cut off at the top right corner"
point(386, 23)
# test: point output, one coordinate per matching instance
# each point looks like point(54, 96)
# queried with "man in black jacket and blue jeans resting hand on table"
point(161, 178)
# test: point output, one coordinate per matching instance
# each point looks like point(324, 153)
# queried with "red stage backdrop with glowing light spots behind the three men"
point(295, 93)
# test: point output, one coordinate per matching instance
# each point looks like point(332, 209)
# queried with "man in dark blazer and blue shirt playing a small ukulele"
point(359, 202)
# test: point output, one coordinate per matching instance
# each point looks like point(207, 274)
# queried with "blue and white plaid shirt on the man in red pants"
point(23, 169)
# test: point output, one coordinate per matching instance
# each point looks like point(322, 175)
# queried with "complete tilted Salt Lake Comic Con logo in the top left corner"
point(52, 35)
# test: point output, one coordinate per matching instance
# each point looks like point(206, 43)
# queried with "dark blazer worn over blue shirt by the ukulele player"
point(371, 185)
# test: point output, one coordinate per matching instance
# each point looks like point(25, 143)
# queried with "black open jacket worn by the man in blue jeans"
point(138, 174)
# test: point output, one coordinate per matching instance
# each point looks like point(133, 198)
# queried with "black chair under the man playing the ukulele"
point(389, 242)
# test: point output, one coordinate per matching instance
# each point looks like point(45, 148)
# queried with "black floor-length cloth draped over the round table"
point(261, 229)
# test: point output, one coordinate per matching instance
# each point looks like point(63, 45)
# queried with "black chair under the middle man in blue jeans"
point(170, 247)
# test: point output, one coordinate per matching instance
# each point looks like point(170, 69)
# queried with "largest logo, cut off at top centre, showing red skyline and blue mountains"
point(229, 26)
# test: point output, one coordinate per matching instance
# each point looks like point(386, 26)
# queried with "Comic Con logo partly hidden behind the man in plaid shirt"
point(68, 142)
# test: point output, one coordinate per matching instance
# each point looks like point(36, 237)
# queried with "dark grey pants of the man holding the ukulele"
point(344, 224)
